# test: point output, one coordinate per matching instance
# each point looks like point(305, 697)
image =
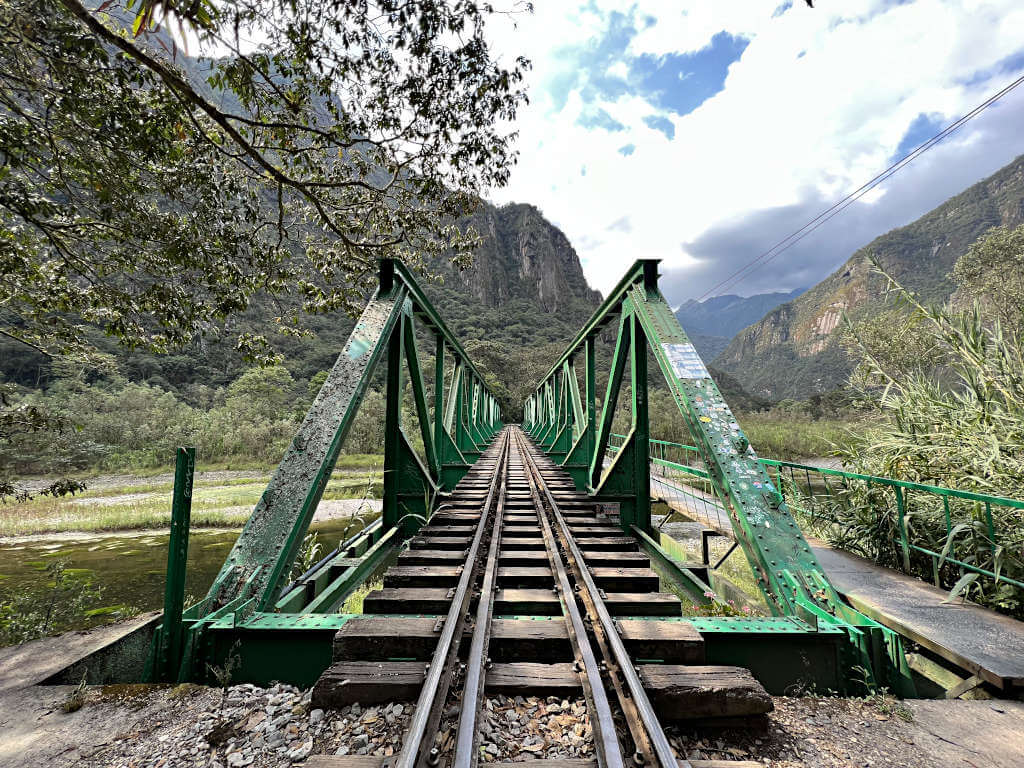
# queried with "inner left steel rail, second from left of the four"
point(466, 755)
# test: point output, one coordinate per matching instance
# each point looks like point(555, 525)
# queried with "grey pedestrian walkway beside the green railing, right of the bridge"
point(982, 642)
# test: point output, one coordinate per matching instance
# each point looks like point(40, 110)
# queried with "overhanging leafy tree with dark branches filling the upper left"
point(156, 195)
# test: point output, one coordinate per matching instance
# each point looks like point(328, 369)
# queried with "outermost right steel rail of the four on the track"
point(655, 732)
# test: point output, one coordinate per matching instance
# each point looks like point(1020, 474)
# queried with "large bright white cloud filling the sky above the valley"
point(817, 105)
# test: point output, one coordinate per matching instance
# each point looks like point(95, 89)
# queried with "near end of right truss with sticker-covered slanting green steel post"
point(788, 573)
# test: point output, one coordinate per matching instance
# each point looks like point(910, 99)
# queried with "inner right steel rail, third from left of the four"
point(606, 740)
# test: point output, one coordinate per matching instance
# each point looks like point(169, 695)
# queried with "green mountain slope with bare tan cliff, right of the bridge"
point(794, 351)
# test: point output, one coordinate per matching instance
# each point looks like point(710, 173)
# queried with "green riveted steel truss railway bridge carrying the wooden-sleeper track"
point(523, 560)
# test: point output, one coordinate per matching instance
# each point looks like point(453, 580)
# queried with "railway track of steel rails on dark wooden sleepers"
point(520, 586)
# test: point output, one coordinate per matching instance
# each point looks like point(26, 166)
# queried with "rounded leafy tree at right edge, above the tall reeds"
point(993, 273)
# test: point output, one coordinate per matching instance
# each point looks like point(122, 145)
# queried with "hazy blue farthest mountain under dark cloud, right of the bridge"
point(712, 323)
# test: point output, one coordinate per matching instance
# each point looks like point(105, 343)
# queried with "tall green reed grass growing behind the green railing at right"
point(958, 423)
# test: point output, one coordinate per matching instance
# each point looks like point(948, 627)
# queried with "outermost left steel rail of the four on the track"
point(430, 704)
